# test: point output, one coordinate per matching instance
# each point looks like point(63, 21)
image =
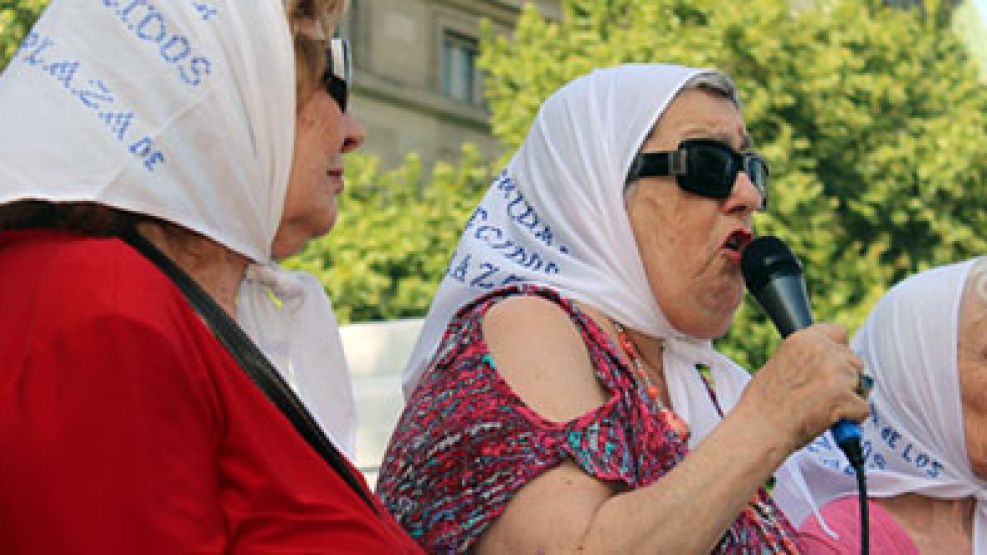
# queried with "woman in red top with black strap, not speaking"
point(155, 157)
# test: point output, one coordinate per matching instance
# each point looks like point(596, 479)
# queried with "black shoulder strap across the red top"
point(252, 360)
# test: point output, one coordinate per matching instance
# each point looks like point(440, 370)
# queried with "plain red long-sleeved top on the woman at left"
point(125, 426)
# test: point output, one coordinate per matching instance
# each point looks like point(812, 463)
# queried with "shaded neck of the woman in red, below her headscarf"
point(217, 269)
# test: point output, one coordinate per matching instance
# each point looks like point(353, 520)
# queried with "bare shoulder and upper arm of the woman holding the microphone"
point(539, 352)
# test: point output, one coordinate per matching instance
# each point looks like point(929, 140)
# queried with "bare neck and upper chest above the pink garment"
point(934, 524)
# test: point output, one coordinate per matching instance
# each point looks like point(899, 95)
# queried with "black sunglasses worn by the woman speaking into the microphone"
point(705, 167)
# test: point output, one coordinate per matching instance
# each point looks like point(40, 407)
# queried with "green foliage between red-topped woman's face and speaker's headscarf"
point(394, 235)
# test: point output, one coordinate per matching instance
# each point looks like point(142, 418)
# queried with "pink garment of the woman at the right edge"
point(843, 517)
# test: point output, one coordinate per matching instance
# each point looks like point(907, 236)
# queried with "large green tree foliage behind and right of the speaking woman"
point(872, 119)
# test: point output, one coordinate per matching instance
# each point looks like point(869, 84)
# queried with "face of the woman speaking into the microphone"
point(690, 245)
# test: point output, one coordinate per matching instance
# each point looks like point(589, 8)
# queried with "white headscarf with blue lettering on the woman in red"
point(183, 110)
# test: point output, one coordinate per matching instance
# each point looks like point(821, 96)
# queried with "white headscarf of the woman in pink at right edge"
point(914, 439)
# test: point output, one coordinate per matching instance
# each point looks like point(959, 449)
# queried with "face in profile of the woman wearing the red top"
point(322, 134)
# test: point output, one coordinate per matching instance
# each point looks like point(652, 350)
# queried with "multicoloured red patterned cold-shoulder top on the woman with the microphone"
point(466, 443)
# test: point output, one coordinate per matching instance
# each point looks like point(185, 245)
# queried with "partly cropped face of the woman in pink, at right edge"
point(972, 361)
